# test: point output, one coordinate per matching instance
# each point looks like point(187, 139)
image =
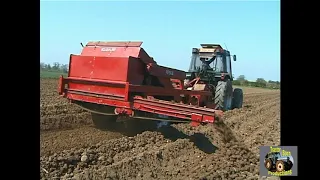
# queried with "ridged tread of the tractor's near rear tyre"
point(220, 93)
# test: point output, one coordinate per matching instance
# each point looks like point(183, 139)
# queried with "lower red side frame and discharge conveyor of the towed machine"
point(125, 106)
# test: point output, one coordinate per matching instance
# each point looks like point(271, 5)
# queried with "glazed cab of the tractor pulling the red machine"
point(211, 60)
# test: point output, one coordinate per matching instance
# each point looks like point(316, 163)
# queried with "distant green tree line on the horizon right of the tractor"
point(260, 82)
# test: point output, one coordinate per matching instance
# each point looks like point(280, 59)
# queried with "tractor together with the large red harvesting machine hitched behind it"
point(120, 82)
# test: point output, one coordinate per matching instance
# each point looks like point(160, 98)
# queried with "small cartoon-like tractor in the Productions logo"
point(274, 161)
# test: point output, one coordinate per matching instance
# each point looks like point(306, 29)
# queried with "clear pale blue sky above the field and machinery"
point(169, 30)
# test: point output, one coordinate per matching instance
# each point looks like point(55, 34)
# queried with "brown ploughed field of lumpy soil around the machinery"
point(71, 148)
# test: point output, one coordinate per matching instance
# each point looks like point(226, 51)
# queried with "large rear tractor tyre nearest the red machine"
point(223, 95)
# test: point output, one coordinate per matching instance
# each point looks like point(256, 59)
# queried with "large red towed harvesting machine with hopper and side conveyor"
point(122, 75)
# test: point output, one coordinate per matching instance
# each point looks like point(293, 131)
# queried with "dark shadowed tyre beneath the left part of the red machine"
point(104, 122)
